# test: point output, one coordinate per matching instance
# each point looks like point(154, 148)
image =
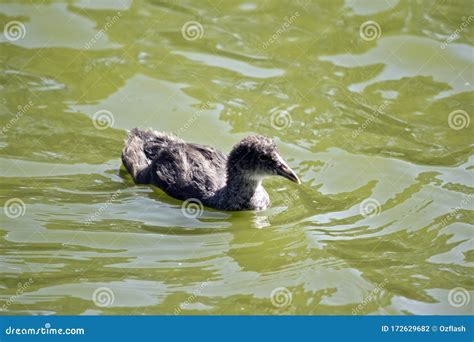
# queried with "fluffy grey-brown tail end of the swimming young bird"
point(134, 158)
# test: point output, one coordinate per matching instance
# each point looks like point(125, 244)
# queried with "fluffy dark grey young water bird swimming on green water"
point(190, 171)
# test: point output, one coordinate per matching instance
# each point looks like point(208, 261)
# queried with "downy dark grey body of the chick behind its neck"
point(183, 170)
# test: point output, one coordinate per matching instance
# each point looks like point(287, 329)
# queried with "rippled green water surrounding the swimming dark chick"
point(365, 123)
